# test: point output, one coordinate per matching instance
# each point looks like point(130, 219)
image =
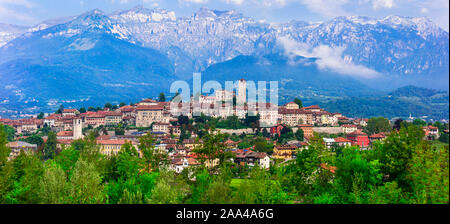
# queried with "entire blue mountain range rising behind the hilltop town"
point(130, 54)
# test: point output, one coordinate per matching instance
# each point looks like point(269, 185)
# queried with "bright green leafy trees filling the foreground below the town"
point(403, 169)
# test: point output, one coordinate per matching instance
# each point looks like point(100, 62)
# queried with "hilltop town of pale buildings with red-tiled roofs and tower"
point(274, 134)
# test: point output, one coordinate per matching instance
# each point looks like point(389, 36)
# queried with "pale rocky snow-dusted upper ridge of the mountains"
point(393, 44)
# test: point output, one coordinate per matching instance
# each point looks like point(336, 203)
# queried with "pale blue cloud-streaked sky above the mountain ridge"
point(30, 12)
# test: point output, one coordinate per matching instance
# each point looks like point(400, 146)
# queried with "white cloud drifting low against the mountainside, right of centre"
point(328, 58)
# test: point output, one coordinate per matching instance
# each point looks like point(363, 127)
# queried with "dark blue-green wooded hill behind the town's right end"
point(402, 102)
